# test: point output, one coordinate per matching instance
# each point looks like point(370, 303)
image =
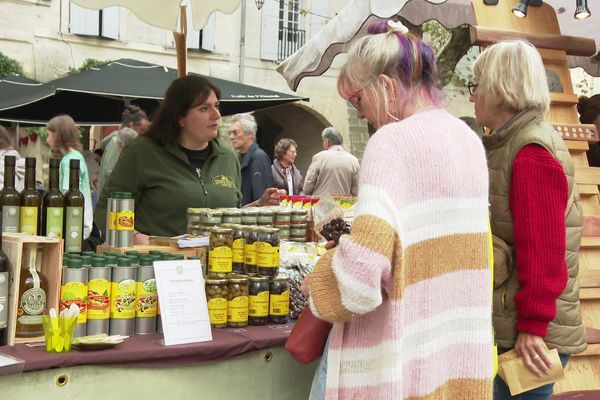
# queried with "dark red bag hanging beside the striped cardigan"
point(308, 337)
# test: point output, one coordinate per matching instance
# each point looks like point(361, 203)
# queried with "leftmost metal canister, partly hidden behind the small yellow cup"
point(74, 291)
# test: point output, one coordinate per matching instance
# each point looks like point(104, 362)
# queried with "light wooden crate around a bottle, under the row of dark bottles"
point(51, 264)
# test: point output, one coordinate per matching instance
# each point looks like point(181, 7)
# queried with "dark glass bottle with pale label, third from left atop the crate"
point(53, 204)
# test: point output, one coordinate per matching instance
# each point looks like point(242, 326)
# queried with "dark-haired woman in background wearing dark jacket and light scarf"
point(285, 174)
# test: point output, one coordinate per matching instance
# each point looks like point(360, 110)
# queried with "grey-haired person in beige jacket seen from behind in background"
point(334, 170)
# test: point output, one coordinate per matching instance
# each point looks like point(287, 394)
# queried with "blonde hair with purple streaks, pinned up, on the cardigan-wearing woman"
point(403, 57)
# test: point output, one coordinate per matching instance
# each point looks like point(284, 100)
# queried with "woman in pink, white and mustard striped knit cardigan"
point(408, 291)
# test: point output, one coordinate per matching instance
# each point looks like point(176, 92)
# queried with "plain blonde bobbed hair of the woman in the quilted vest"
point(513, 73)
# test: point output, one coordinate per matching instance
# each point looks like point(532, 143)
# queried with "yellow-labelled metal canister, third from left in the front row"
point(122, 298)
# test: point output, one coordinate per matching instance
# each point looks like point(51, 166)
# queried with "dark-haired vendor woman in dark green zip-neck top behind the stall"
point(178, 163)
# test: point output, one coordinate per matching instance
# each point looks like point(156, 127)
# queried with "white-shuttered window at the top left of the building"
point(104, 23)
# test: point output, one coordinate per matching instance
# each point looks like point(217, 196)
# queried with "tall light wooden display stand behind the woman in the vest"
point(540, 27)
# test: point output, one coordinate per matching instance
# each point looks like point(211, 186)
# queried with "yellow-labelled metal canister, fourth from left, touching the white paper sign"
point(146, 297)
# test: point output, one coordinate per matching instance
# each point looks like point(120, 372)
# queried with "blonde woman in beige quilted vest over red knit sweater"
point(534, 209)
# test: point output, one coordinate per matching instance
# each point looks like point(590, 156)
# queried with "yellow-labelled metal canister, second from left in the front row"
point(99, 278)
